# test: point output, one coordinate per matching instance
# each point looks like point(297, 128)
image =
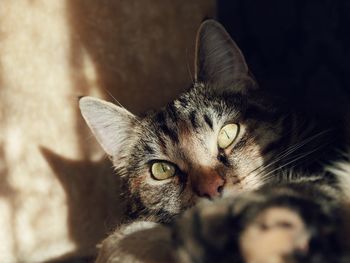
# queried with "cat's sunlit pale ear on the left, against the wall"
point(111, 125)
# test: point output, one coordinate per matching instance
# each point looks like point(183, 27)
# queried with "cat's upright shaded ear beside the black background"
point(218, 60)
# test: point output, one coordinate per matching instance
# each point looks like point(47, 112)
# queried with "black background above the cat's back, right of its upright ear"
point(296, 48)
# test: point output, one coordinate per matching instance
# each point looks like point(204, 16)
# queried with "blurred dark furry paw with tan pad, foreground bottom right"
point(275, 225)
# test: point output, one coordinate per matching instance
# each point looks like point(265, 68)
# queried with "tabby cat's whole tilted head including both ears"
point(212, 141)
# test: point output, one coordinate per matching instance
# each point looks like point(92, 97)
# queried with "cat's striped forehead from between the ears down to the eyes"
point(188, 127)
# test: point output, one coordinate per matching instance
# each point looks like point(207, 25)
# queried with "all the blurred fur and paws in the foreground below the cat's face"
point(286, 223)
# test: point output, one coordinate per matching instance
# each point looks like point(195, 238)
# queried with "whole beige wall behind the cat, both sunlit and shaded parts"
point(58, 195)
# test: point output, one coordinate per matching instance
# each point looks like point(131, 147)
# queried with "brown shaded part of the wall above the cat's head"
point(140, 51)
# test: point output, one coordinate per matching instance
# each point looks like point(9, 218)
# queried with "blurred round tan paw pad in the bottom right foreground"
point(274, 234)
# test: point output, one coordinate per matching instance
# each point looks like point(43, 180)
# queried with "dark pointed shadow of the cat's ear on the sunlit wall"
point(93, 199)
